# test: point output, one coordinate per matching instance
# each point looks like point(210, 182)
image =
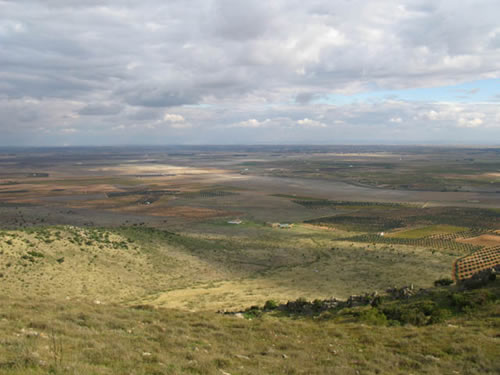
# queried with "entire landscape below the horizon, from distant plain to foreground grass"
point(137, 245)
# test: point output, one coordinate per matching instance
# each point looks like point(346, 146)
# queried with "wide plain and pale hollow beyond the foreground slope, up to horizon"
point(151, 226)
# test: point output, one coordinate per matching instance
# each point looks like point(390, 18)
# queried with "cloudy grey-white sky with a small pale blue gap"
point(99, 72)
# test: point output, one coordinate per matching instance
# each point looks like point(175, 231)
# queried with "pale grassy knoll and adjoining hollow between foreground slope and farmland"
point(229, 267)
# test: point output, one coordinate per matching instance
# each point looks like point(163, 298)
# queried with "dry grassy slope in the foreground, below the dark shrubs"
point(74, 337)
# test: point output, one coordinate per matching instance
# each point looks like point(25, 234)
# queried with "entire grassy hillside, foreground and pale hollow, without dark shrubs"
point(42, 331)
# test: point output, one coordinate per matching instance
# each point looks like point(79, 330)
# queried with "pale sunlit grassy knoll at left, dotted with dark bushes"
point(92, 264)
